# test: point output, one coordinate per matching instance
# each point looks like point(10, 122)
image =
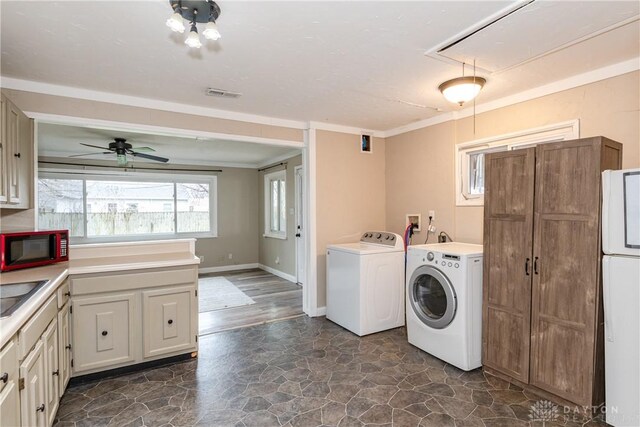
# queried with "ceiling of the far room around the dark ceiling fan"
point(62, 141)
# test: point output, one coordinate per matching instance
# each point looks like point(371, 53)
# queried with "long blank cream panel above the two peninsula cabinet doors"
point(126, 281)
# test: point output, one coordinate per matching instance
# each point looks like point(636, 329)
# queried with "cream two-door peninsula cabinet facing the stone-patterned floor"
point(133, 316)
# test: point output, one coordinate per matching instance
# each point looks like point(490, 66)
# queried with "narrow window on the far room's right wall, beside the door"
point(275, 205)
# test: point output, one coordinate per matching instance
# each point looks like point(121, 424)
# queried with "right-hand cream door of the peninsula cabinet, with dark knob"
point(169, 320)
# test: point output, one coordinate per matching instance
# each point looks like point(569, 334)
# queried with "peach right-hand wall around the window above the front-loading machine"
point(421, 168)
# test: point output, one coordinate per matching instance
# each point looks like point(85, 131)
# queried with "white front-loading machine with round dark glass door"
point(444, 302)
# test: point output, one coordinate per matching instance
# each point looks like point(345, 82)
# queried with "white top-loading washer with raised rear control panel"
point(365, 283)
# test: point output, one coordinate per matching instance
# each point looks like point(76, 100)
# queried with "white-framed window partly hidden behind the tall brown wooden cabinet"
point(470, 156)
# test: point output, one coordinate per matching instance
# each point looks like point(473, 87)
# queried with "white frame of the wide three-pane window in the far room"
point(74, 174)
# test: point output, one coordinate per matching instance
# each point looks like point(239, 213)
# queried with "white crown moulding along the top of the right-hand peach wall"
point(592, 76)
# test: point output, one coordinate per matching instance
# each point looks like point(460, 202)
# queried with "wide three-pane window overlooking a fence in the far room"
point(115, 207)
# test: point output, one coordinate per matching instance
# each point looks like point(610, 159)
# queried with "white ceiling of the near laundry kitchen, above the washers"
point(358, 63)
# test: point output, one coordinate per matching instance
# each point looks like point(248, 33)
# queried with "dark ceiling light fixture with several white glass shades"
point(195, 12)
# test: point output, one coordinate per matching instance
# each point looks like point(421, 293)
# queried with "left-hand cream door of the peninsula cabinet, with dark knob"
point(103, 331)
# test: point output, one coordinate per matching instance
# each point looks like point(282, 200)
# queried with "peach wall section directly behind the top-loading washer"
point(350, 194)
